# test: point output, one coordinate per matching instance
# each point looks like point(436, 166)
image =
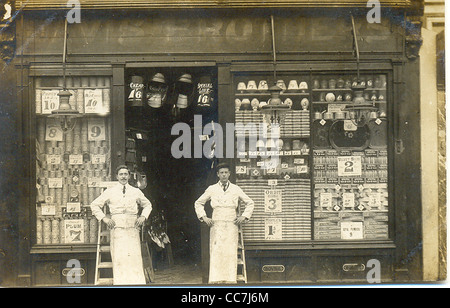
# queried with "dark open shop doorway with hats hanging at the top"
point(156, 100)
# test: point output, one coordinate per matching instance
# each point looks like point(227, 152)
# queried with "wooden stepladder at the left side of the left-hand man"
point(103, 265)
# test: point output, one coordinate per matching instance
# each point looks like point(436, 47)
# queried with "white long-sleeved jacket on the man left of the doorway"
point(120, 203)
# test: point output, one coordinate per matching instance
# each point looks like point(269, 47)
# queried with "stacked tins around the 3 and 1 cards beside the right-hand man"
point(294, 215)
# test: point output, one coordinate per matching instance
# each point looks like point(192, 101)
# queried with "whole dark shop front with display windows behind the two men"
point(336, 187)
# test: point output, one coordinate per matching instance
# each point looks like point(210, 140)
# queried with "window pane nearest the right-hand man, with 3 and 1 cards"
point(273, 168)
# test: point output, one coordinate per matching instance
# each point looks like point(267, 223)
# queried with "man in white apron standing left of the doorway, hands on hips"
point(123, 201)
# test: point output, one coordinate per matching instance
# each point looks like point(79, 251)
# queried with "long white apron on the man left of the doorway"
point(126, 251)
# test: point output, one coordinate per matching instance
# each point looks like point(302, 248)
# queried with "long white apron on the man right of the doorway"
point(223, 246)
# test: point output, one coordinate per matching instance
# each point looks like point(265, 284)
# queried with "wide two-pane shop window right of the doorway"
point(330, 181)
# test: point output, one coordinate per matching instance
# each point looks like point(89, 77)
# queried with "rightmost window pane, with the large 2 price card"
point(350, 163)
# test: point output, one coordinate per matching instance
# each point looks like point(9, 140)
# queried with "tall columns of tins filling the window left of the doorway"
point(78, 178)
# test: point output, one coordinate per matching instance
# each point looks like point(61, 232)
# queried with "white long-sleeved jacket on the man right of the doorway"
point(224, 199)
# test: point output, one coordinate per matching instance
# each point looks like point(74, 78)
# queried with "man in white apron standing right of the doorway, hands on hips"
point(224, 197)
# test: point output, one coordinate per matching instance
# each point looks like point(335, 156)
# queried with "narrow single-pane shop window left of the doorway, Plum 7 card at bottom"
point(73, 161)
